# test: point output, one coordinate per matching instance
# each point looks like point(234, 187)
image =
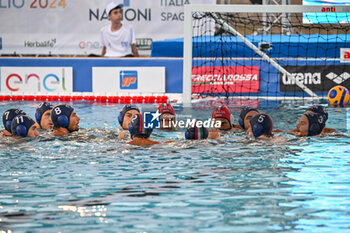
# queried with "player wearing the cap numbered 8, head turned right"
point(64, 119)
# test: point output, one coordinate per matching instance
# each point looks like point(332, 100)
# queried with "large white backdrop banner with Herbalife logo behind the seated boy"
point(73, 26)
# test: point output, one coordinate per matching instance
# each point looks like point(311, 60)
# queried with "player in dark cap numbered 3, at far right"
point(310, 124)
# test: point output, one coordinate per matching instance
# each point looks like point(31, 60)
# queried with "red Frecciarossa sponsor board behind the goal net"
point(231, 79)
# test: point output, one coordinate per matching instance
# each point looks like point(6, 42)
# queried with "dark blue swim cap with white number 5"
point(261, 124)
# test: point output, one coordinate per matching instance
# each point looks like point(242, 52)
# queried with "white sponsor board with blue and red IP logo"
point(128, 80)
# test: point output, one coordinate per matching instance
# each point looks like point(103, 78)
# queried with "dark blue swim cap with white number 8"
point(60, 115)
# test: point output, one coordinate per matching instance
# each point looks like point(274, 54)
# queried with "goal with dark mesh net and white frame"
point(265, 51)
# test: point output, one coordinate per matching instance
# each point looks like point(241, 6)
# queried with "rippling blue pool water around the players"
point(92, 181)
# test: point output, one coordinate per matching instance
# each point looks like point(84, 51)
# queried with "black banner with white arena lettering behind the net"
point(317, 78)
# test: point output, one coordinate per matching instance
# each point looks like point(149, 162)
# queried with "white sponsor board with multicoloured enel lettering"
point(36, 80)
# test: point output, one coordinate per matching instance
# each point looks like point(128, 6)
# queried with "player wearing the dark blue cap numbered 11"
point(24, 126)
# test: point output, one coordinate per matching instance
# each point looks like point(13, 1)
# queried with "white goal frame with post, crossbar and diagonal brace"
point(213, 9)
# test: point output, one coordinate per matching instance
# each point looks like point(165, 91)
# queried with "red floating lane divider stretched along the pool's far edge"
point(91, 98)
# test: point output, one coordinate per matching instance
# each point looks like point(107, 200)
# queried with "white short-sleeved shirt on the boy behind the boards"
point(118, 43)
